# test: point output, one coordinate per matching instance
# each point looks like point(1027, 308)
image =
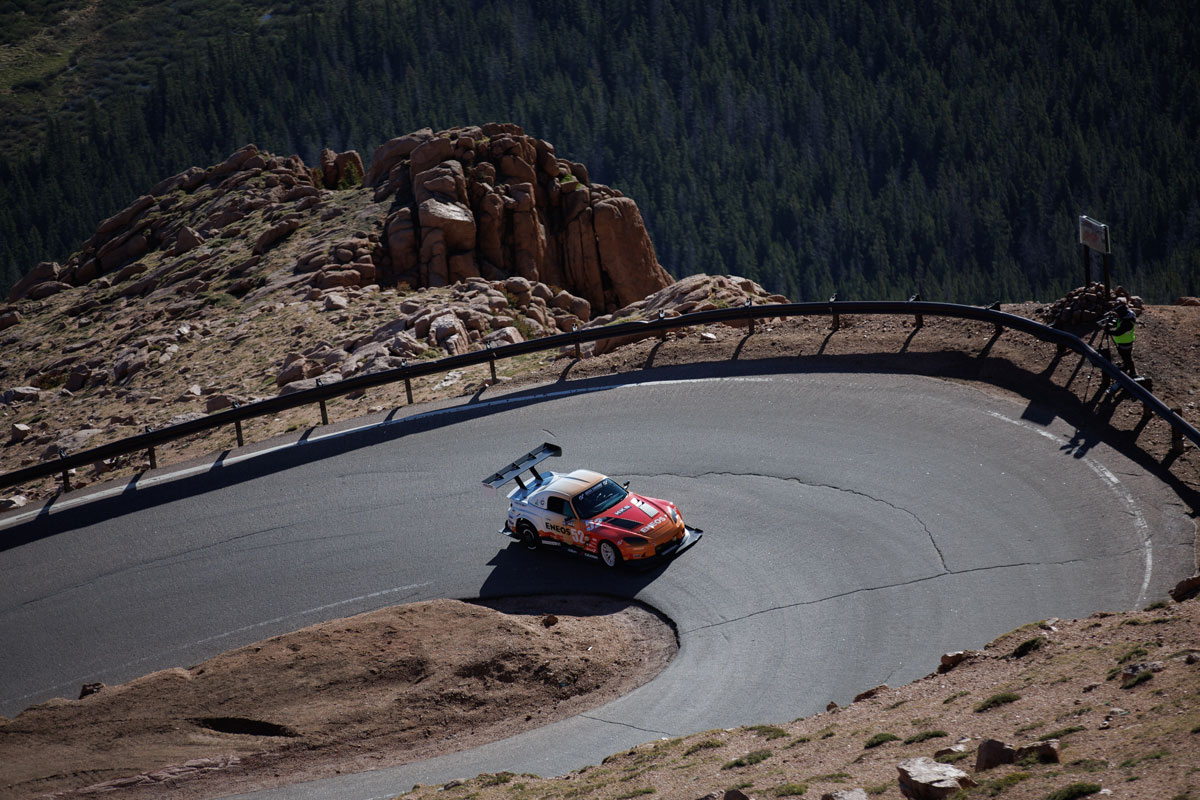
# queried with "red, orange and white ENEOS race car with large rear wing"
point(589, 514)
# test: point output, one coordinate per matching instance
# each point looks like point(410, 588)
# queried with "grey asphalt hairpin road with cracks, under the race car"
point(857, 527)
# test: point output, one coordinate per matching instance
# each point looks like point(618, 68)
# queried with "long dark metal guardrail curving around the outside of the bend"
point(751, 315)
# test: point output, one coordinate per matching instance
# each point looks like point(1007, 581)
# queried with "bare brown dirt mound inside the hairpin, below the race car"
point(376, 690)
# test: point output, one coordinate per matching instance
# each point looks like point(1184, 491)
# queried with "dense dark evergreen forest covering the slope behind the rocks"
point(873, 148)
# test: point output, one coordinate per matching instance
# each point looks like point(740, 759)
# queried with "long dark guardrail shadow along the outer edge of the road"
point(1047, 402)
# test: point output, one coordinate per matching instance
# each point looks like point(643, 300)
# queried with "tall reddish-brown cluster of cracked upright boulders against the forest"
point(491, 202)
